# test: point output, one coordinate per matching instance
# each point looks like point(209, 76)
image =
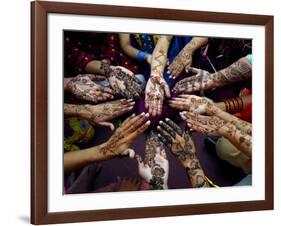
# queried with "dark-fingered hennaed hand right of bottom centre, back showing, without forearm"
point(179, 141)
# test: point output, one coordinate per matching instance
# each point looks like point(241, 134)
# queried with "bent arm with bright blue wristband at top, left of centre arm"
point(131, 51)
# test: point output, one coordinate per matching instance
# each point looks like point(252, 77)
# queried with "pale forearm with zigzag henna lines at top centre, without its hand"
point(159, 56)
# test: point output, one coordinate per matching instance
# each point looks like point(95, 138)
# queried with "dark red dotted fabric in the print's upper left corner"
point(82, 47)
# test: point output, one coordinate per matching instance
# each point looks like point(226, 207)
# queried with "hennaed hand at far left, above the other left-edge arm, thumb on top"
point(83, 87)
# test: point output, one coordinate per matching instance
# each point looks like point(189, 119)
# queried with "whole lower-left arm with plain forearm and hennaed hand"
point(117, 145)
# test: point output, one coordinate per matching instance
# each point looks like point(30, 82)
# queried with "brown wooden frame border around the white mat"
point(39, 106)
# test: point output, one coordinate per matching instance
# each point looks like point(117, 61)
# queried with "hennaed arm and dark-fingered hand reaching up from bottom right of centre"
point(183, 148)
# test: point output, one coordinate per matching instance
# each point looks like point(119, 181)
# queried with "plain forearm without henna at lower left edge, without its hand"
point(77, 159)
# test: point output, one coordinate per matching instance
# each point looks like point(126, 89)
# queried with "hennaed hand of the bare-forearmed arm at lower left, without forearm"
point(119, 143)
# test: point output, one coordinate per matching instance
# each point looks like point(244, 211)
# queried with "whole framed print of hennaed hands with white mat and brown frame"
point(146, 112)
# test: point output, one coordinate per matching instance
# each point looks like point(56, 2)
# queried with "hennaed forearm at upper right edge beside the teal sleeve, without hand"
point(238, 71)
